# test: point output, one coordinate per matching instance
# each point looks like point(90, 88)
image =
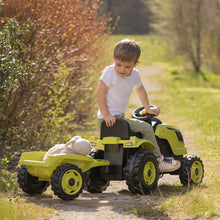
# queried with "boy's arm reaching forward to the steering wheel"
point(142, 94)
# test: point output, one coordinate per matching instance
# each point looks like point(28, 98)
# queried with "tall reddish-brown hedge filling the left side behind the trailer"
point(54, 49)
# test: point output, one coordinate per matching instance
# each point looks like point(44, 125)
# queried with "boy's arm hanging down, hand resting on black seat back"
point(102, 102)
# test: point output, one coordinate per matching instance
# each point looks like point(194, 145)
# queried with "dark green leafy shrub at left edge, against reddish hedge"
point(11, 70)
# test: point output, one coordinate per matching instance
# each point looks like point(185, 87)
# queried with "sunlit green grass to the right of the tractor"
point(192, 104)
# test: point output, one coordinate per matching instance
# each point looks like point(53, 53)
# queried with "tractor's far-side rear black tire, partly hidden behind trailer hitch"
point(95, 183)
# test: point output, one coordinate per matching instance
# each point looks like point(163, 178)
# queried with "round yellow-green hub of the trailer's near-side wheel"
point(71, 182)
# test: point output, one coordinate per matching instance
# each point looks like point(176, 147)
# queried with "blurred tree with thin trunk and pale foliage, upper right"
point(192, 29)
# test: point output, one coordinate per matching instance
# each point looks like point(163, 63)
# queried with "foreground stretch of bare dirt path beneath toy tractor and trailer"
point(111, 204)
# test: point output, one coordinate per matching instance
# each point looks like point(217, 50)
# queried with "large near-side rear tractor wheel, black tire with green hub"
point(142, 172)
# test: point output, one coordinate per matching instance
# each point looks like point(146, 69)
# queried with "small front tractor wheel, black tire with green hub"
point(192, 171)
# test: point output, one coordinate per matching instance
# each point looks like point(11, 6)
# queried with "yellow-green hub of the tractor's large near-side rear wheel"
point(149, 173)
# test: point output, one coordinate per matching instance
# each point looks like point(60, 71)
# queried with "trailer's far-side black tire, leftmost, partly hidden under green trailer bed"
point(30, 184)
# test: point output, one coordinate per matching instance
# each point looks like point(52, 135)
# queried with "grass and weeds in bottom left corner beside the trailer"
point(12, 205)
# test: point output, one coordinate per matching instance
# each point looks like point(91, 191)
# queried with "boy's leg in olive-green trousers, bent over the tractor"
point(146, 130)
